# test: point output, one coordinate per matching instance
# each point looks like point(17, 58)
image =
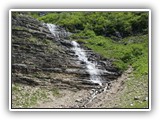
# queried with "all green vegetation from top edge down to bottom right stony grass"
point(119, 36)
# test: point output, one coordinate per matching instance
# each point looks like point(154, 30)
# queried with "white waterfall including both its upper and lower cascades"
point(90, 67)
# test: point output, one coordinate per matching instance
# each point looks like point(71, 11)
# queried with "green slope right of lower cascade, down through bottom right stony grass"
point(131, 51)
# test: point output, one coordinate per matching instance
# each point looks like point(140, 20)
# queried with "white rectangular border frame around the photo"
point(79, 109)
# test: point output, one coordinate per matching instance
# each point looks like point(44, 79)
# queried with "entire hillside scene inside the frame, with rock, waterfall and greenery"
point(47, 72)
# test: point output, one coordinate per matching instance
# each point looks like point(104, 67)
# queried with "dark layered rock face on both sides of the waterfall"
point(39, 58)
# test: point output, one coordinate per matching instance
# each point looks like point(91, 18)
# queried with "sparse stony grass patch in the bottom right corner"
point(136, 86)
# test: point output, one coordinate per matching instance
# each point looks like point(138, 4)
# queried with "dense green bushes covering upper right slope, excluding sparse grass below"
point(100, 27)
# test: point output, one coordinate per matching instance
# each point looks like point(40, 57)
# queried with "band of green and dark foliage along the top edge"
point(120, 24)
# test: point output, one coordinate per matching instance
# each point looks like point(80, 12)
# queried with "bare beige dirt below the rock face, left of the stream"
point(67, 99)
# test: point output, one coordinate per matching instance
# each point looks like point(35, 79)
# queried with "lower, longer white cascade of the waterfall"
point(91, 67)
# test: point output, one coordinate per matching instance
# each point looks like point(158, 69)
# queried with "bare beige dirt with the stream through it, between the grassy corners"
point(105, 97)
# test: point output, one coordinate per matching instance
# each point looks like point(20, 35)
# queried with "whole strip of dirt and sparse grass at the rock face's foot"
point(115, 94)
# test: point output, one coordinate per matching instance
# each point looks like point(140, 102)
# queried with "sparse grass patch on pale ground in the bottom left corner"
point(27, 96)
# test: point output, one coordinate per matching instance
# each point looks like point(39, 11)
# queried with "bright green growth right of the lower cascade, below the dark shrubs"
point(124, 52)
